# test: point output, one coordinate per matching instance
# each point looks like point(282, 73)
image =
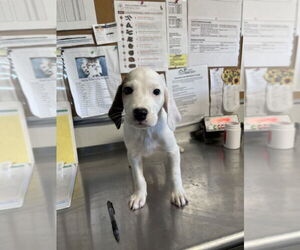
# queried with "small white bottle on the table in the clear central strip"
point(232, 135)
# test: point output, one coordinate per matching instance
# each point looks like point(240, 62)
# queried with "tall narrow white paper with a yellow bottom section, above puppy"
point(177, 33)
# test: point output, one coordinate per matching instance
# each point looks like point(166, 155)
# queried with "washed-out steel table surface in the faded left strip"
point(32, 226)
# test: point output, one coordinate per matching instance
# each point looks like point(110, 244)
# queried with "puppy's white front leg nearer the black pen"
point(138, 198)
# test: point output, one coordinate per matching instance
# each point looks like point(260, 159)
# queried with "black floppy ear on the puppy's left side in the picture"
point(115, 111)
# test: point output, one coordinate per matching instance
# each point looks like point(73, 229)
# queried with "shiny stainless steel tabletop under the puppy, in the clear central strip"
point(213, 180)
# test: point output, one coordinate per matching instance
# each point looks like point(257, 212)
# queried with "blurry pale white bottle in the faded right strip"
point(282, 135)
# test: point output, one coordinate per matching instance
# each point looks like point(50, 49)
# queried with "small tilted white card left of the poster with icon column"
point(106, 33)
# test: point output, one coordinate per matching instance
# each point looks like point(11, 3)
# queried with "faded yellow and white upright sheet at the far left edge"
point(16, 156)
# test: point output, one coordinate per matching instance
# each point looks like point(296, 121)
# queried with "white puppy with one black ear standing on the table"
point(150, 119)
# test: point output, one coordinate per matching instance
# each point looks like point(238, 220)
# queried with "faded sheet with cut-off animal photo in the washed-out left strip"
point(36, 71)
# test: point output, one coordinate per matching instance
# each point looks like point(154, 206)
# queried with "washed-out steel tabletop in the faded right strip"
point(272, 194)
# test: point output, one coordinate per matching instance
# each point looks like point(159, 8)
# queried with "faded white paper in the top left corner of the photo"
point(27, 15)
